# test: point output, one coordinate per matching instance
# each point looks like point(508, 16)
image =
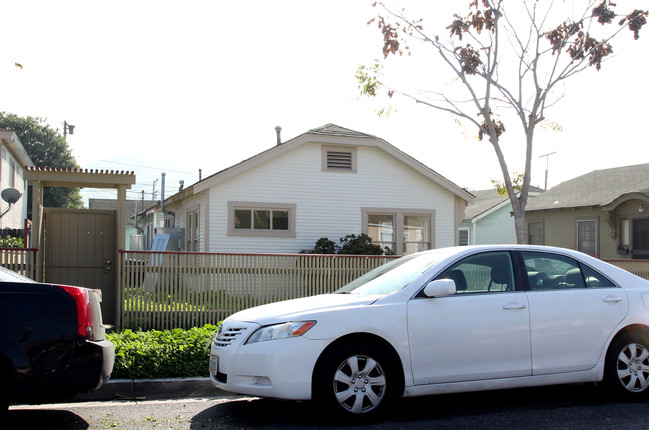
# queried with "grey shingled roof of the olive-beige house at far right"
point(597, 188)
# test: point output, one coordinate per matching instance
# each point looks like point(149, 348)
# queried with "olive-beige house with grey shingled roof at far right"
point(602, 213)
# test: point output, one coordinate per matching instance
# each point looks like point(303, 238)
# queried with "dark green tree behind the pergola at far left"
point(46, 148)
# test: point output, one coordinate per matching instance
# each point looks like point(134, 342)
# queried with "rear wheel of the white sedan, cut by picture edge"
point(626, 373)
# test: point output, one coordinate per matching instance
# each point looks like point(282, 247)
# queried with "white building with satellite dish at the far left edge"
point(12, 170)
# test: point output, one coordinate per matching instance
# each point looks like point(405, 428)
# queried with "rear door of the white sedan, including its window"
point(573, 311)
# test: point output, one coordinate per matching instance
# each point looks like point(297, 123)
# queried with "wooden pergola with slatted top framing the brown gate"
point(41, 177)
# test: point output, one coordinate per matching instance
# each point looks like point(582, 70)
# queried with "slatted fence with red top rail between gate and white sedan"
point(165, 290)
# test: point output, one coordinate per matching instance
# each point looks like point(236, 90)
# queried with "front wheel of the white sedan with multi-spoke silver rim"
point(358, 381)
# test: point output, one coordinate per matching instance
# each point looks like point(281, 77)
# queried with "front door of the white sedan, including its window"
point(481, 332)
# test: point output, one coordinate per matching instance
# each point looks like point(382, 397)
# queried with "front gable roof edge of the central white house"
point(336, 135)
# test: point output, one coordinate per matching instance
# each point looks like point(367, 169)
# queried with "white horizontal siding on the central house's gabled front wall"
point(328, 204)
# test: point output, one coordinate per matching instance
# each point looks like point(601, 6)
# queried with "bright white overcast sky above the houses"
point(198, 86)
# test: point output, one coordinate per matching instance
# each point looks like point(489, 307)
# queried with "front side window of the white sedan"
point(482, 273)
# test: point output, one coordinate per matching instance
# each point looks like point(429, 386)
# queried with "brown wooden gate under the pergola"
point(80, 250)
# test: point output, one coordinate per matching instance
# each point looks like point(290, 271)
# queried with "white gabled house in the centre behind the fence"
point(327, 182)
